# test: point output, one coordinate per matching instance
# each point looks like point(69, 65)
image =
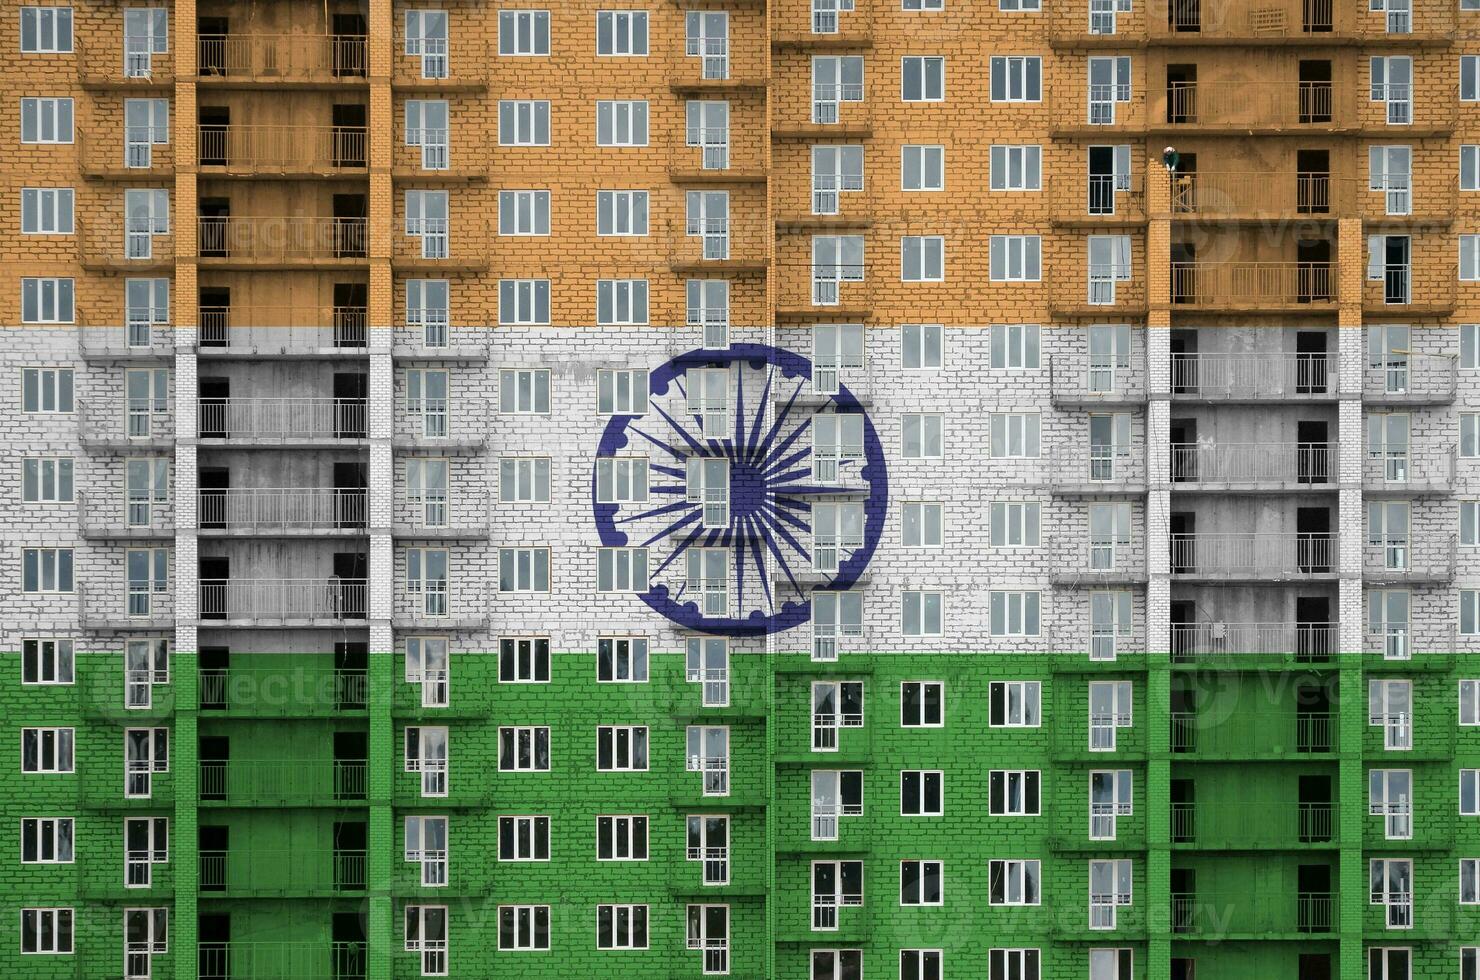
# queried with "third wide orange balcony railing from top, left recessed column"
point(266, 242)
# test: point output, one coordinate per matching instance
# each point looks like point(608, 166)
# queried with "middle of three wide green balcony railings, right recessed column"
point(1254, 825)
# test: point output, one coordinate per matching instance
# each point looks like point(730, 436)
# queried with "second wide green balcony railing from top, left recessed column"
point(283, 784)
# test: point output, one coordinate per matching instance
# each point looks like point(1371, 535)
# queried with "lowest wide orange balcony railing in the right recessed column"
point(1262, 286)
